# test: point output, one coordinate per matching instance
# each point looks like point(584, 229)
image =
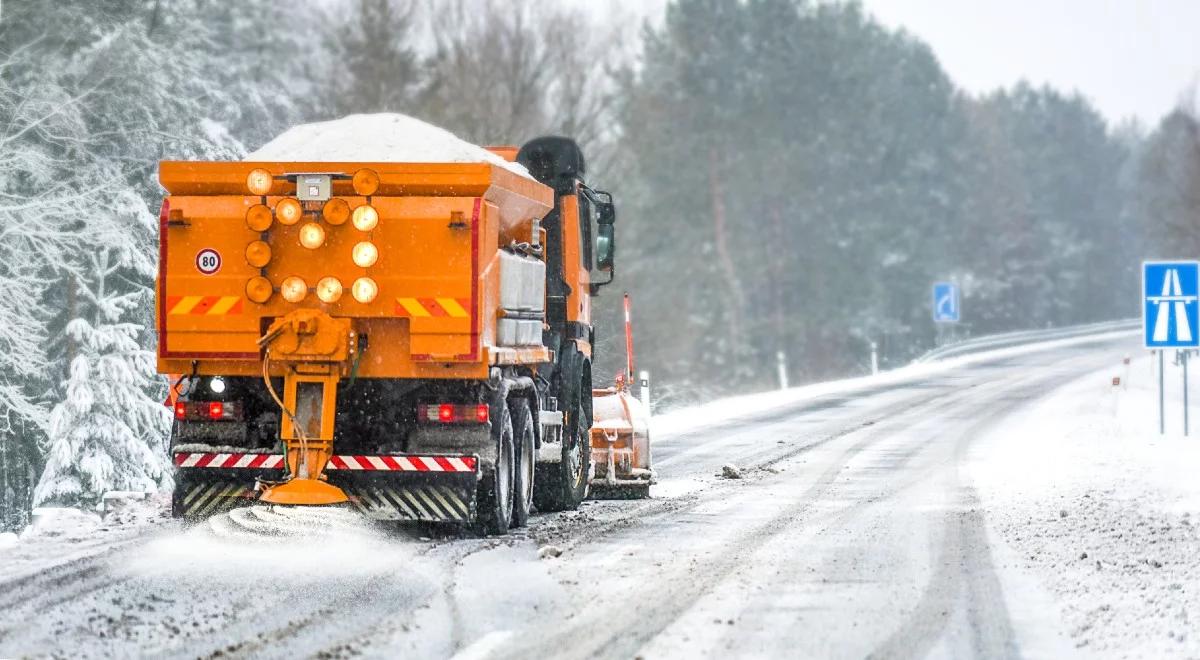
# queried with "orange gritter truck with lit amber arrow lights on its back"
point(412, 340)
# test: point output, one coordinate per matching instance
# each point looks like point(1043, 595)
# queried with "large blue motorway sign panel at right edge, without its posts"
point(1171, 313)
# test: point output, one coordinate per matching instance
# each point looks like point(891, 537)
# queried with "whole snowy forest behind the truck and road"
point(790, 176)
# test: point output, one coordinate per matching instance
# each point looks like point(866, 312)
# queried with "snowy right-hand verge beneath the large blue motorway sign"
point(1103, 512)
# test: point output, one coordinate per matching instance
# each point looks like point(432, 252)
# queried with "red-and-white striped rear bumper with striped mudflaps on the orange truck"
point(386, 488)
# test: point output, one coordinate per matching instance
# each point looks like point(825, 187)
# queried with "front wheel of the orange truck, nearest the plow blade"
point(563, 487)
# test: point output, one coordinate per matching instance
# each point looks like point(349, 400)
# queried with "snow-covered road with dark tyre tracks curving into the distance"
point(866, 524)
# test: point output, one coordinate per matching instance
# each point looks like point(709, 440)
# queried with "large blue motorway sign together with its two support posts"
point(1171, 319)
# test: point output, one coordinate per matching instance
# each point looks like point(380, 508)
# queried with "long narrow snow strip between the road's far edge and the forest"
point(682, 421)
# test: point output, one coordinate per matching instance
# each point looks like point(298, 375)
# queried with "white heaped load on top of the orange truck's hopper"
point(385, 137)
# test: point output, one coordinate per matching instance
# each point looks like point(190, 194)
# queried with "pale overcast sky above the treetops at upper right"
point(1132, 58)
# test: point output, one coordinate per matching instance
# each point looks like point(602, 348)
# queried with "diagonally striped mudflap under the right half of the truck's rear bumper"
point(428, 503)
